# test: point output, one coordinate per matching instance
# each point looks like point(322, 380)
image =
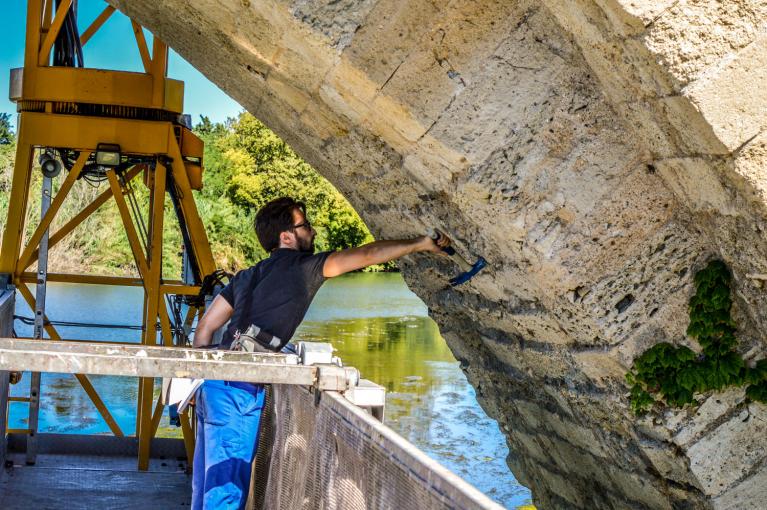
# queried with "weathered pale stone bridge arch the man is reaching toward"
point(596, 152)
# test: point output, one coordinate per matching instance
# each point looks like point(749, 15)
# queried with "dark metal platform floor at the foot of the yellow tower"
point(76, 472)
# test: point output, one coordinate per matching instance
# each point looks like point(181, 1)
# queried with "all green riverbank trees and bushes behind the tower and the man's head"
point(246, 165)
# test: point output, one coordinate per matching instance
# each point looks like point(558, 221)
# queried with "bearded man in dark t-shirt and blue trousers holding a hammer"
point(273, 295)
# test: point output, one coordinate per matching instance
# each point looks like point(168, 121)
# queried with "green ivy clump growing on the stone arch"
point(674, 374)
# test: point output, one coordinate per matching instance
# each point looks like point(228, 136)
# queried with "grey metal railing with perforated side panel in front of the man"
point(324, 451)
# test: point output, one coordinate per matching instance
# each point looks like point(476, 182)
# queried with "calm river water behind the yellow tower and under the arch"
point(376, 324)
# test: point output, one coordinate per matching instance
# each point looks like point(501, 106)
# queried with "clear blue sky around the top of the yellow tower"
point(113, 47)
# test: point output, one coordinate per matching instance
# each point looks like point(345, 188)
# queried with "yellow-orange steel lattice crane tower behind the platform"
point(114, 127)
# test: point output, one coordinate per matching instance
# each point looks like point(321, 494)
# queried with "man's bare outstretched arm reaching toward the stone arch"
point(378, 252)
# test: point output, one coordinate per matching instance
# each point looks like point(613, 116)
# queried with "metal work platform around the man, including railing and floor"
point(322, 452)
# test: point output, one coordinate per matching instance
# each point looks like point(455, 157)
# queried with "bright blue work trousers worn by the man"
point(228, 418)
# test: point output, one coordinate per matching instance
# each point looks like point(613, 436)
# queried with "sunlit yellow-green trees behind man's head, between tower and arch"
point(246, 166)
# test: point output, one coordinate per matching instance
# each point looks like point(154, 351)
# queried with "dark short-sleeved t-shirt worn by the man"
point(275, 293)
